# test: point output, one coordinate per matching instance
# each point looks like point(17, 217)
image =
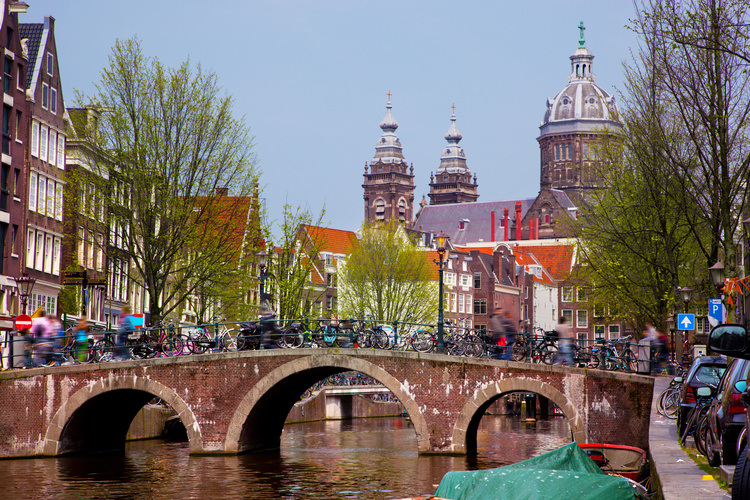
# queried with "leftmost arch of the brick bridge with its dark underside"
point(86, 421)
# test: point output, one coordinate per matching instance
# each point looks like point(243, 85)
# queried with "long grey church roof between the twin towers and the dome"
point(478, 226)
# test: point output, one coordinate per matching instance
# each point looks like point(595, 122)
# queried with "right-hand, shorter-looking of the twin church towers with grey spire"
point(452, 182)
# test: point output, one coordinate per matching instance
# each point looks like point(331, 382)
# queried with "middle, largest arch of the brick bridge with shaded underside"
point(257, 423)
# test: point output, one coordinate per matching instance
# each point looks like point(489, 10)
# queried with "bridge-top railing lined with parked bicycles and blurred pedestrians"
point(267, 332)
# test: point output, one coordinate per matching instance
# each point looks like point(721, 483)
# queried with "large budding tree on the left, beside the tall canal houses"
point(174, 153)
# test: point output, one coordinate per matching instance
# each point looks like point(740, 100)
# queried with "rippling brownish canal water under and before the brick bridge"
point(373, 458)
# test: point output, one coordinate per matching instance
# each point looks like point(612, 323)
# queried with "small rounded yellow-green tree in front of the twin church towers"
point(387, 278)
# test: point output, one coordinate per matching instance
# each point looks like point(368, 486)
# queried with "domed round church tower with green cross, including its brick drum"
point(574, 124)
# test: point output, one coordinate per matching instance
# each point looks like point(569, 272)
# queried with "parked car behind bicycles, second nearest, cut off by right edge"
point(726, 416)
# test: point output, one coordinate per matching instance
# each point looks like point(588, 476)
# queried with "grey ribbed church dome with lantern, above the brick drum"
point(582, 106)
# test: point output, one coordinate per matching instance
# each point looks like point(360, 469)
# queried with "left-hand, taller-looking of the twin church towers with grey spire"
point(389, 187)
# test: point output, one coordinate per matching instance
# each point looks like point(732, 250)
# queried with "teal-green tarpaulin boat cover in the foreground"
point(564, 473)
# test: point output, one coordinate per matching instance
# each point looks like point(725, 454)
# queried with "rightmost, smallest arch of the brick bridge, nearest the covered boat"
point(467, 422)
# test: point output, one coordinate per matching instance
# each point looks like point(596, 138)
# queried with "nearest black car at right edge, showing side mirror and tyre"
point(732, 340)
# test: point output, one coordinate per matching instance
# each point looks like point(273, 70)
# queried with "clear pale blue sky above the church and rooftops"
point(310, 79)
